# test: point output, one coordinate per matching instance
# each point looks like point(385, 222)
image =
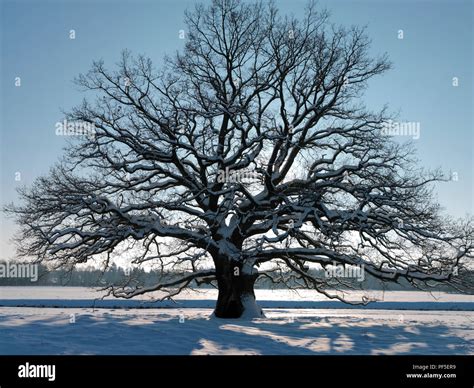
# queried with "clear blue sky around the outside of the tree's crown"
point(437, 45)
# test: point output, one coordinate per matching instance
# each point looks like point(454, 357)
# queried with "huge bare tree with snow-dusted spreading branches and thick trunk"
point(249, 154)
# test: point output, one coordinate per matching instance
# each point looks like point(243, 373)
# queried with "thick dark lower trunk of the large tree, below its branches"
point(236, 293)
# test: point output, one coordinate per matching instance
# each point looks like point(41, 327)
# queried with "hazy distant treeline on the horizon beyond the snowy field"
point(116, 275)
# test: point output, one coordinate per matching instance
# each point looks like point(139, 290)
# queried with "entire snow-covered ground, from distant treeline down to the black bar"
point(187, 328)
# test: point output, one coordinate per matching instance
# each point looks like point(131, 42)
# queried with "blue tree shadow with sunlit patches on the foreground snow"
point(160, 332)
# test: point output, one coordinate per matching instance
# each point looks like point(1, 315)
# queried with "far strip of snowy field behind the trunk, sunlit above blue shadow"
point(88, 297)
